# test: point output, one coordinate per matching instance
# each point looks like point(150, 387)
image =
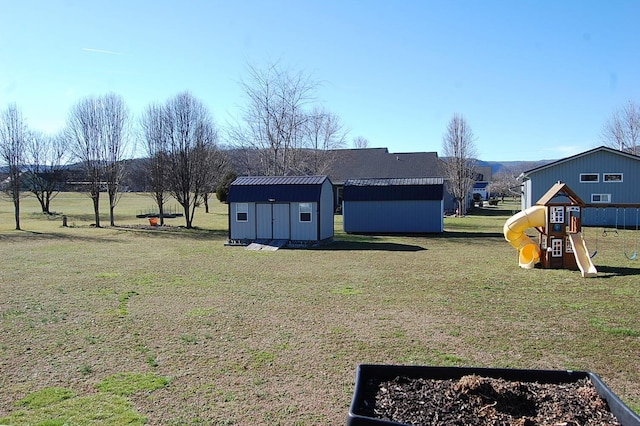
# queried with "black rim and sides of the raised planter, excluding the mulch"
point(369, 376)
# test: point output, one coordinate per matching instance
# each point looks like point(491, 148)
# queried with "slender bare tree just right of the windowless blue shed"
point(459, 157)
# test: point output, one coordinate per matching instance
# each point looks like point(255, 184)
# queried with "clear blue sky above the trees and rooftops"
point(534, 79)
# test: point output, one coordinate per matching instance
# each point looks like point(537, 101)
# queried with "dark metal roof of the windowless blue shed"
point(393, 189)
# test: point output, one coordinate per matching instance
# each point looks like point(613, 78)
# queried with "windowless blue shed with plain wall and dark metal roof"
point(409, 205)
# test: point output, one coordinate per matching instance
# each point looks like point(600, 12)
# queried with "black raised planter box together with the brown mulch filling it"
point(430, 395)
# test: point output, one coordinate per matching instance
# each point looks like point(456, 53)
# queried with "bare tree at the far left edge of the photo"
point(13, 135)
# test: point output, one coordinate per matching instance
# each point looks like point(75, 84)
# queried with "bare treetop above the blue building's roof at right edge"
point(622, 130)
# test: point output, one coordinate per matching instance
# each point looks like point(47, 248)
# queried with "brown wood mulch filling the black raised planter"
point(476, 400)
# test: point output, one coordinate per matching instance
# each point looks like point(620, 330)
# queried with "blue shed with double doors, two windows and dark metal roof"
point(289, 208)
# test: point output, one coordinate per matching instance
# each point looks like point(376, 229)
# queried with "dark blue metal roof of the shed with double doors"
point(274, 189)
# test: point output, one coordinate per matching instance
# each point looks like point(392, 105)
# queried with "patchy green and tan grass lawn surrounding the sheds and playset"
point(135, 325)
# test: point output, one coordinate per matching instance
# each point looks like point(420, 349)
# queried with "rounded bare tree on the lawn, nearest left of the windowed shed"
point(191, 135)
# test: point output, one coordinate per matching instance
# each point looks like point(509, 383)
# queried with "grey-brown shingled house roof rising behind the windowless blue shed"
point(370, 163)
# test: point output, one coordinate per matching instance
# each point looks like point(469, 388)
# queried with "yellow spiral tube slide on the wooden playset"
point(514, 227)
